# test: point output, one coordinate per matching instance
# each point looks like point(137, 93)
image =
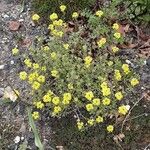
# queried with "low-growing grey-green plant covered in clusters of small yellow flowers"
point(79, 70)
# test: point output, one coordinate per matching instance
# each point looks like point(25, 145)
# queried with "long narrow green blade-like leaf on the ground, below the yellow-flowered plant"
point(37, 140)
